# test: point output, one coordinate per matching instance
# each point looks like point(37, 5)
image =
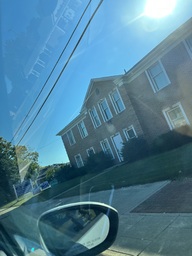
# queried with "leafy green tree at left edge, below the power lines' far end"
point(14, 160)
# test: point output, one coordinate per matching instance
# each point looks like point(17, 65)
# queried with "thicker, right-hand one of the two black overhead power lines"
point(67, 62)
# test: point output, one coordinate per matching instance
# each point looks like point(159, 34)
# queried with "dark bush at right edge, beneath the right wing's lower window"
point(172, 139)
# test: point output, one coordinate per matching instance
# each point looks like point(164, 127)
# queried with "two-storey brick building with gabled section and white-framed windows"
point(150, 99)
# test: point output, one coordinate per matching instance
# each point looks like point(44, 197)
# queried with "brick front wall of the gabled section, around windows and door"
point(119, 121)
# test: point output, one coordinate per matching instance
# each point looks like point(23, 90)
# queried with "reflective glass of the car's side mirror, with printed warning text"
point(72, 231)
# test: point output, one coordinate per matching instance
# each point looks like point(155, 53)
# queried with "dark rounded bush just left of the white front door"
point(98, 162)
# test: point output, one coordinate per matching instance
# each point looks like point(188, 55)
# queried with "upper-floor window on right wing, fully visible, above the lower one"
point(157, 76)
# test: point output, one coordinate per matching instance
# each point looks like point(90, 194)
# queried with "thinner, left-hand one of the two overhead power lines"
point(54, 67)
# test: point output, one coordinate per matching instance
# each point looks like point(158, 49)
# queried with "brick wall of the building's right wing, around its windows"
point(149, 105)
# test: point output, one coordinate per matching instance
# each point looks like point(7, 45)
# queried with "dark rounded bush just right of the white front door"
point(135, 149)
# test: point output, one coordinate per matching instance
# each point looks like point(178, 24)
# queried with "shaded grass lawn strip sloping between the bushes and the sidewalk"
point(170, 165)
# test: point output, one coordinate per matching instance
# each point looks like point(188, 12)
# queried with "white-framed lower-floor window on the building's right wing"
point(175, 116)
